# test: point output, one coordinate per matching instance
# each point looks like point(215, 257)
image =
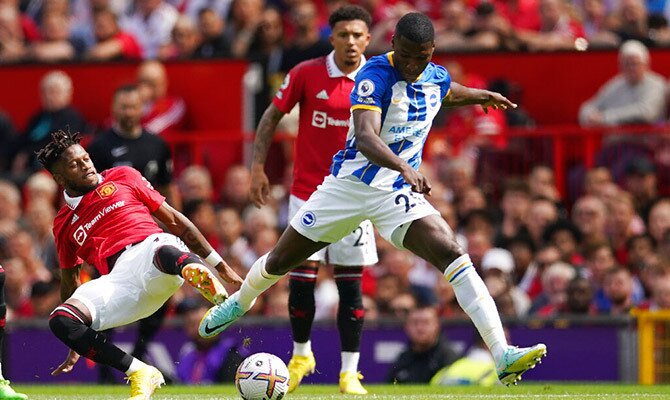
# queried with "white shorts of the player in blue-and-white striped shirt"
point(338, 206)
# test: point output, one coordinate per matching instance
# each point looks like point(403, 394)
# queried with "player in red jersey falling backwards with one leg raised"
point(107, 222)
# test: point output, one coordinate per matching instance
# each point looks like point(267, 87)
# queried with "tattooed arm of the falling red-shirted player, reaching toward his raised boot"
point(182, 227)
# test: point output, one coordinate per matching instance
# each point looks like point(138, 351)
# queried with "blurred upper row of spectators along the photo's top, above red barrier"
point(284, 32)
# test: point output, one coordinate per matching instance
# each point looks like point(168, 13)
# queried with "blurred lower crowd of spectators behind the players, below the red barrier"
point(539, 256)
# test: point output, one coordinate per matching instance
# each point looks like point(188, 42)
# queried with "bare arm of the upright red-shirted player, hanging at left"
point(260, 185)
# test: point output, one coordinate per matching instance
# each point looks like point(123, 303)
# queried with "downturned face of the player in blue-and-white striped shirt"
point(409, 58)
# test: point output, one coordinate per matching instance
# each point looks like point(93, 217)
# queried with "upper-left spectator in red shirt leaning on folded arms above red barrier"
point(111, 43)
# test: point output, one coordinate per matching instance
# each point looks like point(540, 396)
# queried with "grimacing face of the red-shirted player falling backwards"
point(75, 171)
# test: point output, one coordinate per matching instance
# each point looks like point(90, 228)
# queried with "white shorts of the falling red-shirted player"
point(134, 289)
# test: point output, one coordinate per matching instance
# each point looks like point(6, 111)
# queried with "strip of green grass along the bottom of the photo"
point(377, 392)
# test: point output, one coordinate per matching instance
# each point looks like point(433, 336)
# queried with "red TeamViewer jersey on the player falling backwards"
point(98, 224)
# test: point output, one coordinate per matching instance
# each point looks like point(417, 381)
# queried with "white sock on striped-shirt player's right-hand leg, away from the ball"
point(475, 299)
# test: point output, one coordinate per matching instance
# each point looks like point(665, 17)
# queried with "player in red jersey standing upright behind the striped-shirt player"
point(322, 87)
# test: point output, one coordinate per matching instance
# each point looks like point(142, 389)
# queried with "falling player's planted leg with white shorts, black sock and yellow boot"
point(133, 290)
